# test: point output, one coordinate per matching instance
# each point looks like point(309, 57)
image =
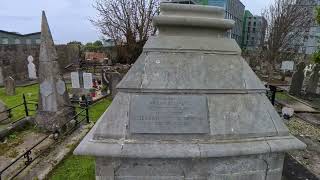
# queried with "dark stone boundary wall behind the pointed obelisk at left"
point(13, 59)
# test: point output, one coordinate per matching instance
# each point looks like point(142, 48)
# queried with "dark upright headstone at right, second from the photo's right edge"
point(297, 80)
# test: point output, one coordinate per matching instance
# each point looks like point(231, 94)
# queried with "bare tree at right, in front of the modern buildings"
point(288, 27)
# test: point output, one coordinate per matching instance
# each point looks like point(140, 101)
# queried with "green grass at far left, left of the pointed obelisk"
point(31, 93)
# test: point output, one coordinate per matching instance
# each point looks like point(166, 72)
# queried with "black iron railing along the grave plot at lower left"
point(82, 115)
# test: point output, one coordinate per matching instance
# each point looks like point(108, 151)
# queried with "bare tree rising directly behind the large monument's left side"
point(128, 23)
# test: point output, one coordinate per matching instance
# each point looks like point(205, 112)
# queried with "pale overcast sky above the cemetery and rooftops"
point(68, 19)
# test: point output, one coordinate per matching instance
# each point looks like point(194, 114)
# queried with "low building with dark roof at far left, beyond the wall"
point(9, 38)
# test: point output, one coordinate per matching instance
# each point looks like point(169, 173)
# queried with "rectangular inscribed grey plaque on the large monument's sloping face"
point(169, 114)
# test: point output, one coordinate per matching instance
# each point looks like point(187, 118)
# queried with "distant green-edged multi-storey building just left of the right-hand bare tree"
point(254, 31)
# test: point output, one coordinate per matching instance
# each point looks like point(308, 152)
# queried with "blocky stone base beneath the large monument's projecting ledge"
point(253, 167)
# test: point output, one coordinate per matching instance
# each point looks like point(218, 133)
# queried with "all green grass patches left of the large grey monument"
point(72, 167)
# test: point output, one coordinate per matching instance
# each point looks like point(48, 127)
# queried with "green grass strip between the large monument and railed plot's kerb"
point(80, 167)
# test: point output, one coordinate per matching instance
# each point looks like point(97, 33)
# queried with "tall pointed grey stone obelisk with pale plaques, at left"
point(54, 104)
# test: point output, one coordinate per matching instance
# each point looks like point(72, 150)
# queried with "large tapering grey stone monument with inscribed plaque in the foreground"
point(190, 108)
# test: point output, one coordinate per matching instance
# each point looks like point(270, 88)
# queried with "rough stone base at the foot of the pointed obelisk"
point(52, 121)
